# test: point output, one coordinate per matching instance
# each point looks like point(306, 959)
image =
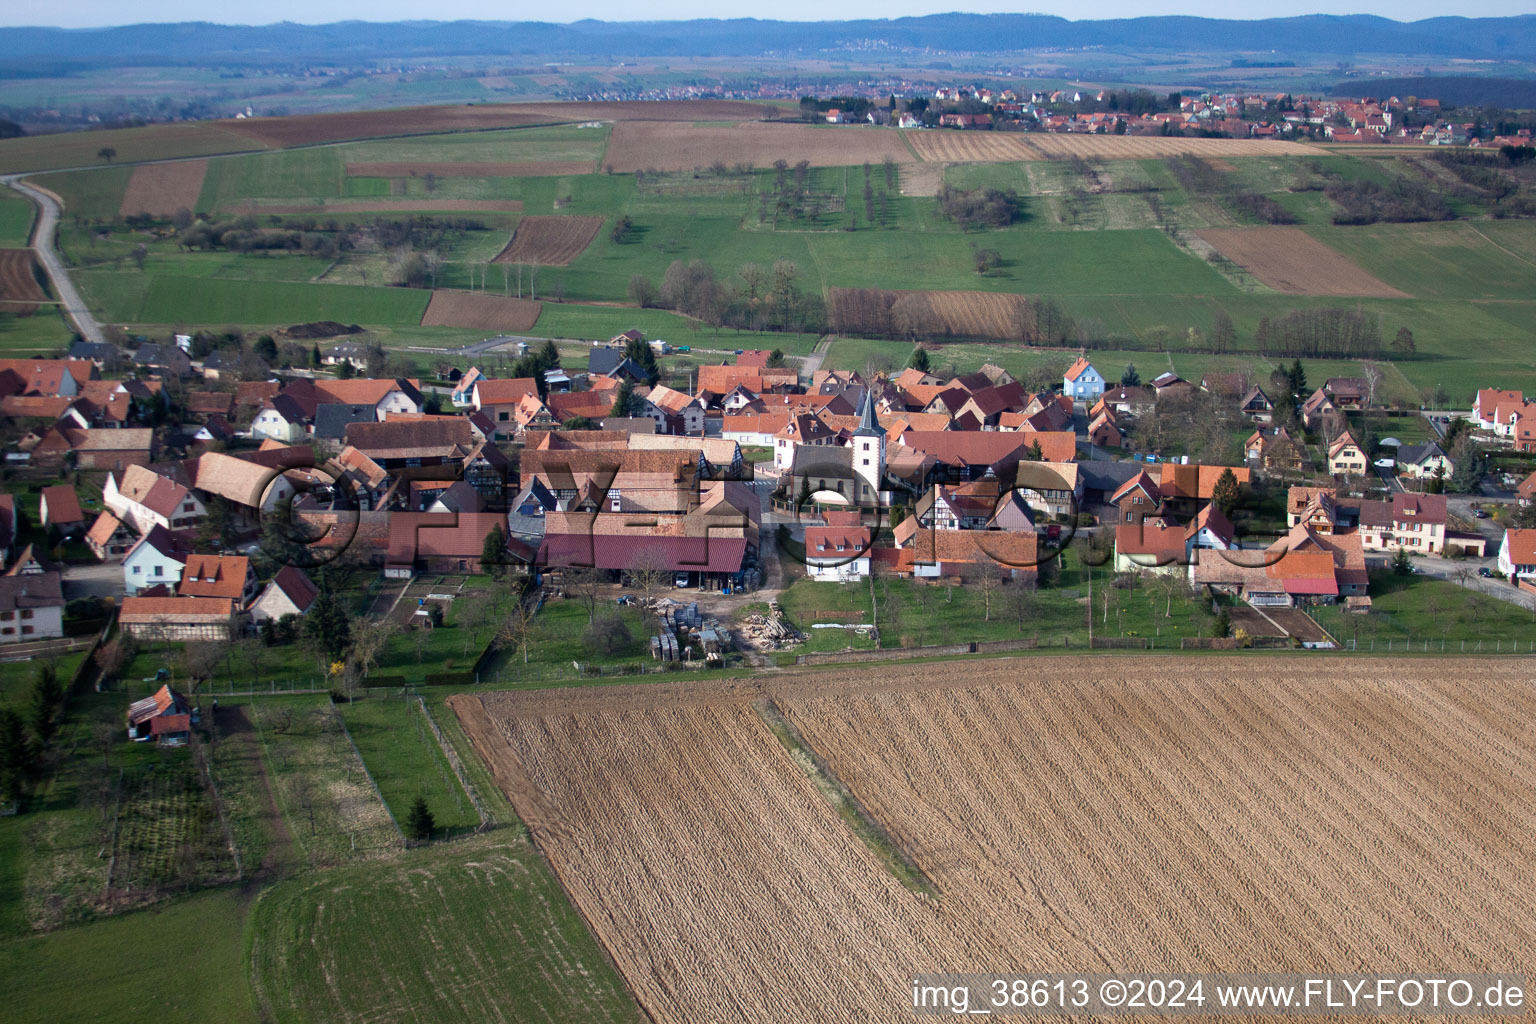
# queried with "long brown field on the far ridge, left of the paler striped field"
point(647, 147)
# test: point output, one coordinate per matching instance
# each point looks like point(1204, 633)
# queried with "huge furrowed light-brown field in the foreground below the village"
point(1217, 814)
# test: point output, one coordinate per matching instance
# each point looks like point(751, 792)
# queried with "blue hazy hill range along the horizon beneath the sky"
point(204, 44)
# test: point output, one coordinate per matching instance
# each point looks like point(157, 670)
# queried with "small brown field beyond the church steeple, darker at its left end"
point(948, 314)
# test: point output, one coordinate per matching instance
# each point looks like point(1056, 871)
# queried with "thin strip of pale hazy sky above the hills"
point(99, 13)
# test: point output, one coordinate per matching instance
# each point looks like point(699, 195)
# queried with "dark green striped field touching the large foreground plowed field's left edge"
point(471, 931)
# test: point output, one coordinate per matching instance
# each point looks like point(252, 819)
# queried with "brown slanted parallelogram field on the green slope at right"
point(1291, 260)
